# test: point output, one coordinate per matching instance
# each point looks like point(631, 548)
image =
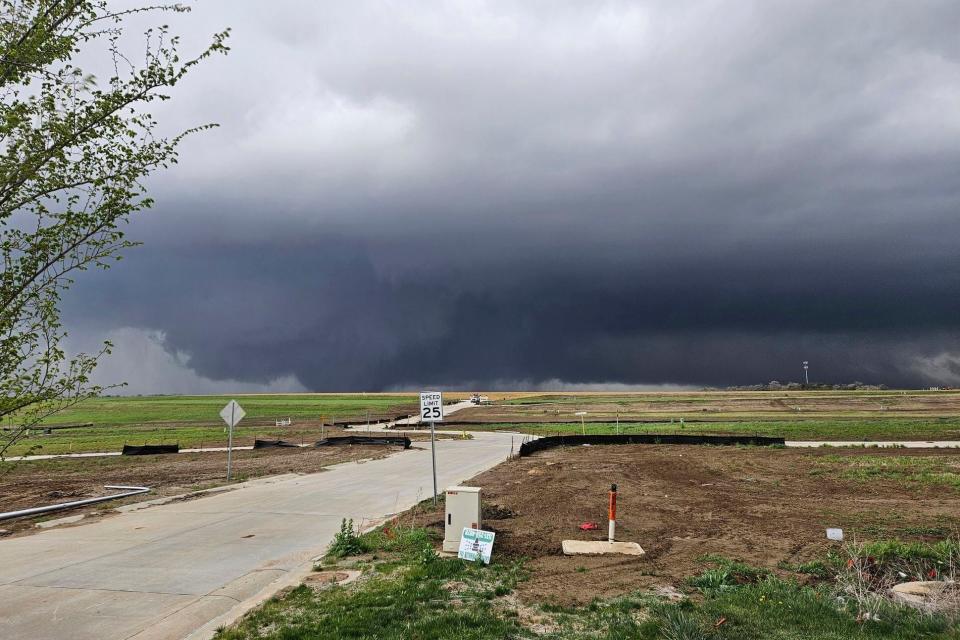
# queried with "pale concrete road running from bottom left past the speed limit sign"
point(182, 569)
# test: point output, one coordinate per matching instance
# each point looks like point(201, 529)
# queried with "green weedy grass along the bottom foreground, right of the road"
point(413, 593)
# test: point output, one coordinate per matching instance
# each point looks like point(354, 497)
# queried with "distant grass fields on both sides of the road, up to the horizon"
point(193, 421)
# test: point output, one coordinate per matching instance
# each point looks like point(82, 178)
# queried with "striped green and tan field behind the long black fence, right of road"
point(827, 415)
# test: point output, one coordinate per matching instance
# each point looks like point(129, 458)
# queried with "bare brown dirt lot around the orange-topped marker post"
point(759, 505)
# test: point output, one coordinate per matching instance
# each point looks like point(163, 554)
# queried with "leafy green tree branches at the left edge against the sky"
point(74, 151)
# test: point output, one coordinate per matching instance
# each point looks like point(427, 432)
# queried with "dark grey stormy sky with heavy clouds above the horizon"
point(548, 194)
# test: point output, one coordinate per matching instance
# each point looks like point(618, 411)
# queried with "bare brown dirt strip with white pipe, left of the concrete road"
point(41, 482)
